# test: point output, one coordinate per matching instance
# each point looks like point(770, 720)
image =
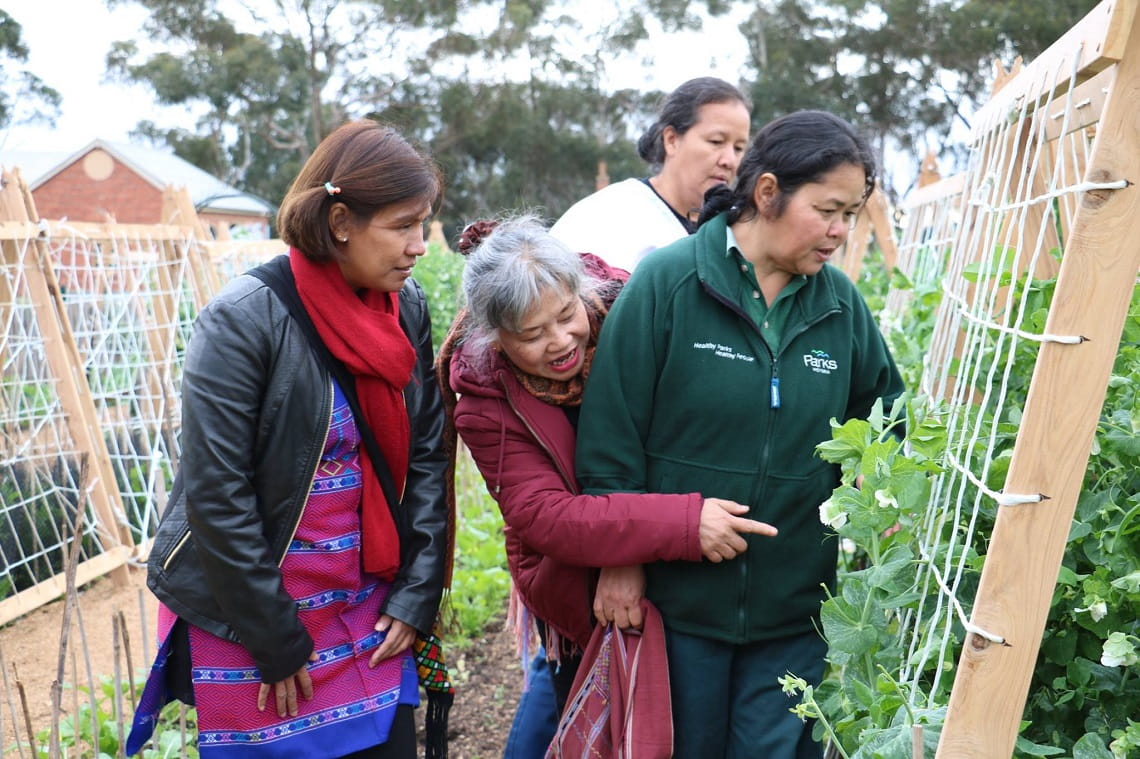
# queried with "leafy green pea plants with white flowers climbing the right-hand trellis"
point(1085, 698)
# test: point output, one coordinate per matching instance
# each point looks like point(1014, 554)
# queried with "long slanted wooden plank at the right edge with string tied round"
point(1094, 291)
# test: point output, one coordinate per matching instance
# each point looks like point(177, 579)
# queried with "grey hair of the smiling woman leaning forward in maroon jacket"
point(507, 275)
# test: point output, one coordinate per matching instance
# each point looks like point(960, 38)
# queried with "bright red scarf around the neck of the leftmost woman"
point(365, 334)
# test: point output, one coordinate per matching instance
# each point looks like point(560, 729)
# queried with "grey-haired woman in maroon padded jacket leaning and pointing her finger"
point(518, 358)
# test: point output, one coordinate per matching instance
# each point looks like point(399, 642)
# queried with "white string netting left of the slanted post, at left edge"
point(42, 468)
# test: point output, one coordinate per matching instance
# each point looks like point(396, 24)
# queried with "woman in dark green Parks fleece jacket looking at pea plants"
point(719, 371)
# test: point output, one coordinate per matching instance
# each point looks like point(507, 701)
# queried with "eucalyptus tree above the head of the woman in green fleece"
point(911, 72)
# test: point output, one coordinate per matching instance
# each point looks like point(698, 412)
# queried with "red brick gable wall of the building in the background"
point(125, 195)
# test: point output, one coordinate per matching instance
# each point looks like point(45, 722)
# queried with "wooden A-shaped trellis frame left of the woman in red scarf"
point(178, 273)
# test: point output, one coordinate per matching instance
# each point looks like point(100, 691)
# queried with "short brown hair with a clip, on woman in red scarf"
point(372, 166)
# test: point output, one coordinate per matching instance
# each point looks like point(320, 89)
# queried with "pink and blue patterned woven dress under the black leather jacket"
point(354, 705)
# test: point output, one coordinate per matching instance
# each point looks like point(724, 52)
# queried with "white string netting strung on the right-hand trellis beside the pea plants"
point(996, 249)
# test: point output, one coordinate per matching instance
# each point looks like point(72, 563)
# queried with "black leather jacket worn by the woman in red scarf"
point(256, 409)
